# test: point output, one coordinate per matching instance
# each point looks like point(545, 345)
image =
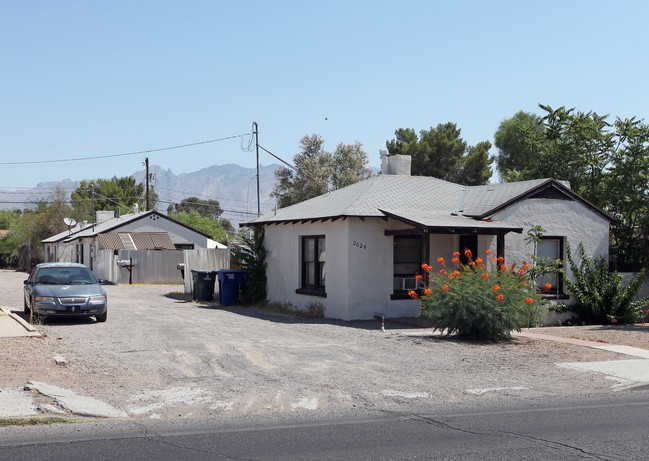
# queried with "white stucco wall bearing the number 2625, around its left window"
point(359, 266)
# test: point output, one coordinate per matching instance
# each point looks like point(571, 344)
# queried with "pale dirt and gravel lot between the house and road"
point(161, 356)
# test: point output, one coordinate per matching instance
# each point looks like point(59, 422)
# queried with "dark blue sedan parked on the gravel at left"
point(64, 289)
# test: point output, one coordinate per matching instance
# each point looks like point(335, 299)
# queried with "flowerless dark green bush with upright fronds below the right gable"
point(603, 297)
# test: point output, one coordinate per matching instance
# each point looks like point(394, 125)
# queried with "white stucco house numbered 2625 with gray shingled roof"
point(356, 251)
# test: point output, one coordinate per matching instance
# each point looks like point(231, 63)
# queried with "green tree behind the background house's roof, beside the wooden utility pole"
point(111, 194)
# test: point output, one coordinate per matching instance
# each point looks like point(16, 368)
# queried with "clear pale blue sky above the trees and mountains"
point(91, 78)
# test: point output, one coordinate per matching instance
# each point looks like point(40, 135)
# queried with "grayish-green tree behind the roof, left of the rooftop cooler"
point(318, 171)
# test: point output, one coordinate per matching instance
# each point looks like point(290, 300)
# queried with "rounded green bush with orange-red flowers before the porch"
point(478, 301)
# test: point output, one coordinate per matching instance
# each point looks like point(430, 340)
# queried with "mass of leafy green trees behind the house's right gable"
point(606, 163)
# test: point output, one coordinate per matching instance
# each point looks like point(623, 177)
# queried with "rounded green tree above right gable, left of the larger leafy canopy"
point(514, 154)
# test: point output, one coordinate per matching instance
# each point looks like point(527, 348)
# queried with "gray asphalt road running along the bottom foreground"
point(598, 430)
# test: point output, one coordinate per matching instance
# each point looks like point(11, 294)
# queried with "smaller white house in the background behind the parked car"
point(150, 230)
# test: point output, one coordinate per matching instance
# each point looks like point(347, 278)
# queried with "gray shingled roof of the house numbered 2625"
point(421, 200)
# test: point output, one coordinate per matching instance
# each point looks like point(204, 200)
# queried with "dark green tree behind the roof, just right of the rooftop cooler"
point(441, 152)
